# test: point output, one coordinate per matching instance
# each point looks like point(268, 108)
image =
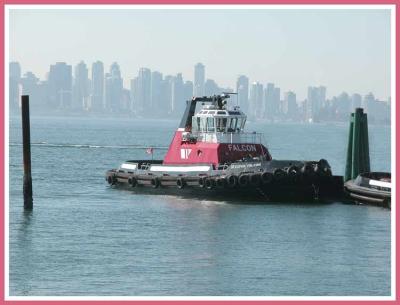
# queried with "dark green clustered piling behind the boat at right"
point(358, 146)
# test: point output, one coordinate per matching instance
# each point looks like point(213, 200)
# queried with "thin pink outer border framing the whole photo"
point(297, 2)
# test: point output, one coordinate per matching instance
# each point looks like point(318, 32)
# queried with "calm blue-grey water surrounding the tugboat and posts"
point(85, 238)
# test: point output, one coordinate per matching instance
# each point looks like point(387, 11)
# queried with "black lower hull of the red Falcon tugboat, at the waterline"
point(228, 187)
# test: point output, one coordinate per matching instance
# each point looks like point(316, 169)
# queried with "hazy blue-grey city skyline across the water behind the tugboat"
point(153, 94)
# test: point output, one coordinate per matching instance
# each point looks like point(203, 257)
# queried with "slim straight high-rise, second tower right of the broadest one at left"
point(97, 87)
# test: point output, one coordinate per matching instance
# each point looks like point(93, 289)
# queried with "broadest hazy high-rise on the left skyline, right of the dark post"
point(60, 86)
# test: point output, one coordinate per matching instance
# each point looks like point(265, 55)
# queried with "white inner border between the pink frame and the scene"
point(392, 8)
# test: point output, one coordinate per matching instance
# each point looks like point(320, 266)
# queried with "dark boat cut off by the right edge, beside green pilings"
point(370, 188)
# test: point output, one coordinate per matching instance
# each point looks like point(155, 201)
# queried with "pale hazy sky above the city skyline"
point(345, 50)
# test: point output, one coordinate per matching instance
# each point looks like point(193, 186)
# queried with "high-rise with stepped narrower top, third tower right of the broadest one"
point(113, 89)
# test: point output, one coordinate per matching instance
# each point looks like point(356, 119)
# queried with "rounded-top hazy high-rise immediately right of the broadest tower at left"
point(81, 87)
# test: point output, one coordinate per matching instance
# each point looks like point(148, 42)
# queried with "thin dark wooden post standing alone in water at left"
point(26, 145)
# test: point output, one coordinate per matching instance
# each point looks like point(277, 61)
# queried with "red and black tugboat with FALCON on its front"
point(211, 153)
